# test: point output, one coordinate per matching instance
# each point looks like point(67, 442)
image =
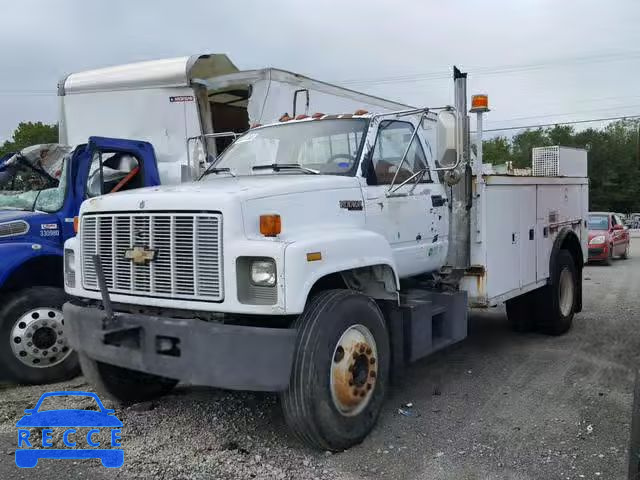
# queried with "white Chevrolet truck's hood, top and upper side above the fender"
point(303, 201)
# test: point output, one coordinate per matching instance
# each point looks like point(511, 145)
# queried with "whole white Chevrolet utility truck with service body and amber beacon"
point(317, 257)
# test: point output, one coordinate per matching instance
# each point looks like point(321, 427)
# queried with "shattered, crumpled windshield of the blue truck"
point(34, 180)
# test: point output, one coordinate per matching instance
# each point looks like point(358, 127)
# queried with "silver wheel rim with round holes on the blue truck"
point(38, 338)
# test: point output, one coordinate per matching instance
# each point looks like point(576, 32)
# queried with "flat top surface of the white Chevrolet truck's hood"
point(217, 189)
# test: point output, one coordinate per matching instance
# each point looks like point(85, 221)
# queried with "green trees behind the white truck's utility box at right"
point(613, 159)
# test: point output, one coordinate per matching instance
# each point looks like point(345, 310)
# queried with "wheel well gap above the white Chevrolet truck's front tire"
point(376, 281)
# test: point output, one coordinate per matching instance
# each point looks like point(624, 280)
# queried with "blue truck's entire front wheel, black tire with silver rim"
point(34, 346)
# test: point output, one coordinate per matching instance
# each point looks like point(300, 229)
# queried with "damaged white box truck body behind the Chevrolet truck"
point(178, 104)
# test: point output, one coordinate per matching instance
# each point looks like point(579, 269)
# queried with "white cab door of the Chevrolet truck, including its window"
point(410, 216)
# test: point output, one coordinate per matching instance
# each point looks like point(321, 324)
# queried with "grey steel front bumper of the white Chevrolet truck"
point(190, 350)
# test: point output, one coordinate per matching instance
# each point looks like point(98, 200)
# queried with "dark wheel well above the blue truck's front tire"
point(43, 271)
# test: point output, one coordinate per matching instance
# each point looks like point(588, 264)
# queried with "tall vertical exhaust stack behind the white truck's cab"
point(460, 197)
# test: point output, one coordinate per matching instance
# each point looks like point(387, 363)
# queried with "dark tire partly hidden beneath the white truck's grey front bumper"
point(124, 385)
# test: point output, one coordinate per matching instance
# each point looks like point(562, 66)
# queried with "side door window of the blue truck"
point(120, 171)
